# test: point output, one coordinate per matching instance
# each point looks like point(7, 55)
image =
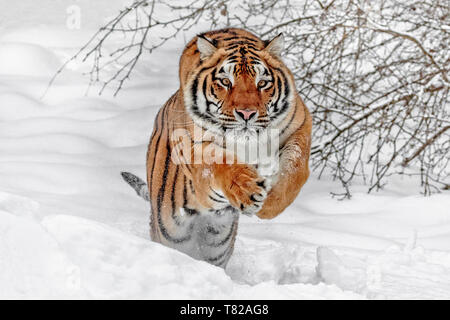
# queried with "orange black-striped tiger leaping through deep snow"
point(231, 83)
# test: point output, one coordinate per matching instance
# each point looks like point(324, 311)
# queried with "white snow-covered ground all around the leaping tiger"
point(71, 228)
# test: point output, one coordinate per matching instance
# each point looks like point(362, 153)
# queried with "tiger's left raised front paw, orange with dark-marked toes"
point(244, 188)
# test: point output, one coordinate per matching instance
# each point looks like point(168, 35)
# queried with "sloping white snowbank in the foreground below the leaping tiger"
point(70, 257)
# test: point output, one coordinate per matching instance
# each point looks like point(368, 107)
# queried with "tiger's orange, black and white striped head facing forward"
point(232, 80)
